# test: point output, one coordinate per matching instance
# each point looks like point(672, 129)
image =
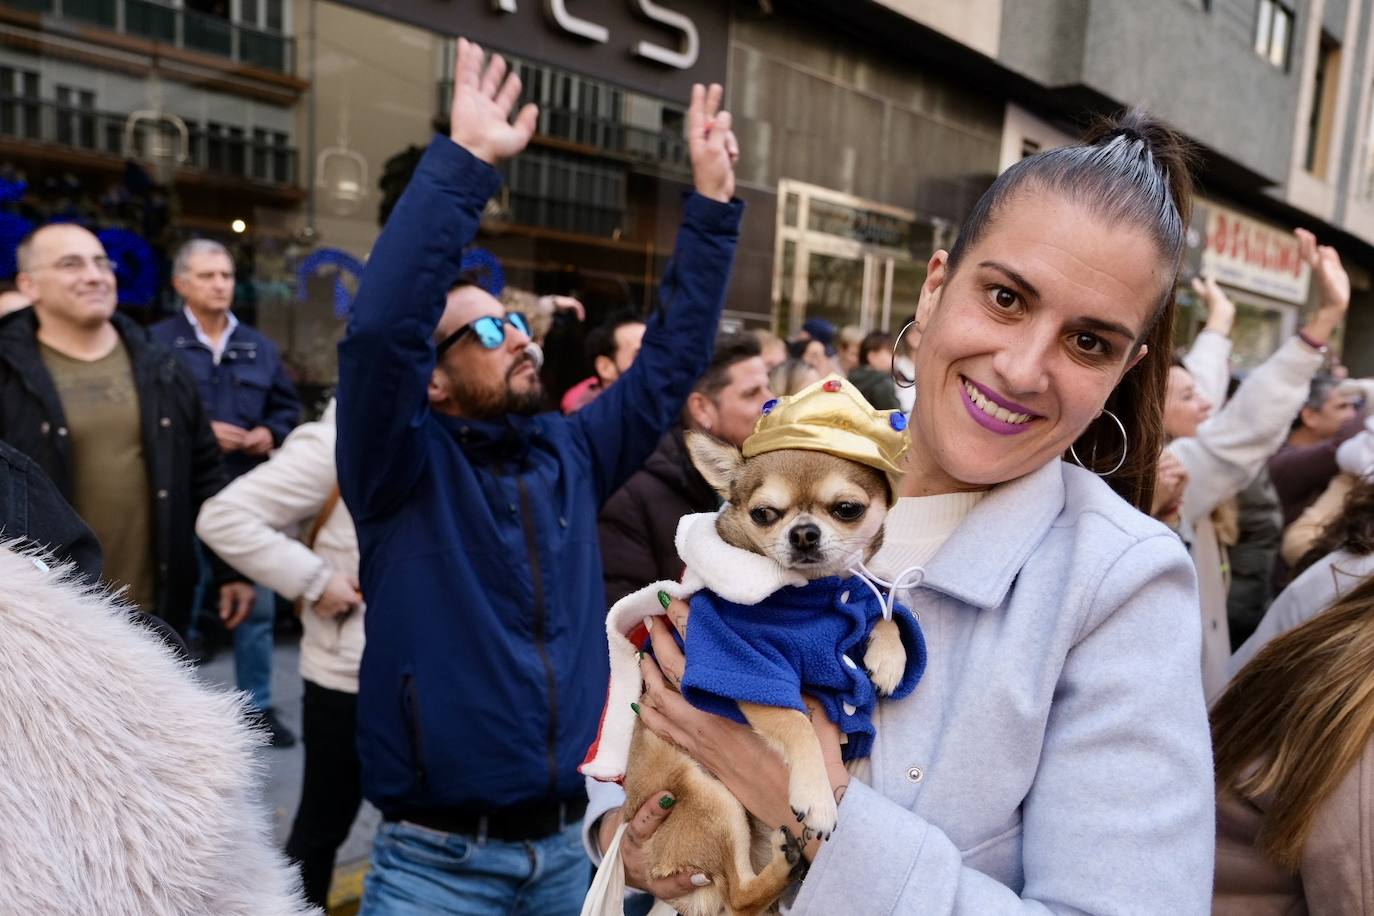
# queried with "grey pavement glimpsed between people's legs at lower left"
point(284, 774)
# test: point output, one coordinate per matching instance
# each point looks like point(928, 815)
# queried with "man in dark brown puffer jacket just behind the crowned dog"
point(640, 525)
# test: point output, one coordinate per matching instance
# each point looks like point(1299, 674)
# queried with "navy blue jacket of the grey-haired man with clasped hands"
point(249, 388)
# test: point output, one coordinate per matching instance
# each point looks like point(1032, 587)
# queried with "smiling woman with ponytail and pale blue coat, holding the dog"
point(1056, 757)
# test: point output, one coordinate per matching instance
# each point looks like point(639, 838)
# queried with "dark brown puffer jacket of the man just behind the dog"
point(640, 524)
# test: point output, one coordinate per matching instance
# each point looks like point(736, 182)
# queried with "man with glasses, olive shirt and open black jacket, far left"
point(112, 418)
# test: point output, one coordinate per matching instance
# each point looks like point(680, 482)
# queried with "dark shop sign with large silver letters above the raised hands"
point(659, 47)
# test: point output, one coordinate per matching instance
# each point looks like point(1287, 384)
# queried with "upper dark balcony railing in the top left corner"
point(177, 27)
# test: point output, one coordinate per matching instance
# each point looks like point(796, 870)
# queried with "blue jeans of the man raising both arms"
point(420, 871)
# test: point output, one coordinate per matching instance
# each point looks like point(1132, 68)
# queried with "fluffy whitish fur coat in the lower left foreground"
point(127, 786)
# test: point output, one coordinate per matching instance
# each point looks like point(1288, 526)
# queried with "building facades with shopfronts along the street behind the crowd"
point(869, 130)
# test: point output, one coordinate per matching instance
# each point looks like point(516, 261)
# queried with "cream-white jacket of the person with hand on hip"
point(245, 524)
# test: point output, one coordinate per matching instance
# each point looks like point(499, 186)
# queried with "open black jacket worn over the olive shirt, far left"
point(183, 458)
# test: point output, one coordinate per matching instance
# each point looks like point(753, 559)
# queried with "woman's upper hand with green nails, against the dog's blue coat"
point(734, 753)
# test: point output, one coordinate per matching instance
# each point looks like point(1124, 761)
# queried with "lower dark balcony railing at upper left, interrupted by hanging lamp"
point(219, 153)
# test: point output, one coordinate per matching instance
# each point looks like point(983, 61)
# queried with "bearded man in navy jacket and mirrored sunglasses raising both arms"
point(486, 664)
